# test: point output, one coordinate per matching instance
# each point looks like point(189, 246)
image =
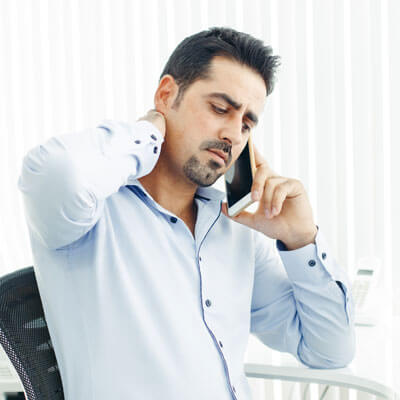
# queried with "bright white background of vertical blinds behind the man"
point(65, 65)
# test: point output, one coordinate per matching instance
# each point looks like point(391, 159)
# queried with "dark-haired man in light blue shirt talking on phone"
point(150, 290)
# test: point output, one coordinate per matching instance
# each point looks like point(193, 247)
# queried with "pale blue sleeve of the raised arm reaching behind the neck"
point(65, 181)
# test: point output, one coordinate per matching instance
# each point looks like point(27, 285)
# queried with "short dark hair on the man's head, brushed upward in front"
point(191, 59)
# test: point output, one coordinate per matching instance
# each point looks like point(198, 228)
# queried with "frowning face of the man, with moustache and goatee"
point(216, 114)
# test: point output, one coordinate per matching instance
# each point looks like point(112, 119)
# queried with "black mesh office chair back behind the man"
point(25, 337)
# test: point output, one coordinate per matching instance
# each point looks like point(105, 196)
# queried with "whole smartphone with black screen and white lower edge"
point(239, 180)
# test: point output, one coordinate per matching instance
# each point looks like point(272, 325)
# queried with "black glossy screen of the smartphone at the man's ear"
point(238, 178)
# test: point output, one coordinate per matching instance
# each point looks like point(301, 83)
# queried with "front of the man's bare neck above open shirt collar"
point(171, 191)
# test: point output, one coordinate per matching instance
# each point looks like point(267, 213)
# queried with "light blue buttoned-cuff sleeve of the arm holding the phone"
point(300, 307)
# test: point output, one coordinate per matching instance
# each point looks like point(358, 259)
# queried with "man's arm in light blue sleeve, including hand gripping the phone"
point(301, 299)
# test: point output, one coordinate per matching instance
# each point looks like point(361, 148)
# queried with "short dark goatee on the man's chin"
point(201, 175)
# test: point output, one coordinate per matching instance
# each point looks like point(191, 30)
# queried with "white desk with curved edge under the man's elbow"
point(373, 370)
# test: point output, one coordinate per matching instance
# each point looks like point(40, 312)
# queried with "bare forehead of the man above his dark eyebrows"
point(240, 82)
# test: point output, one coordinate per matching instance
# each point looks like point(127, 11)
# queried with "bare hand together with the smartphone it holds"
point(284, 211)
